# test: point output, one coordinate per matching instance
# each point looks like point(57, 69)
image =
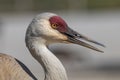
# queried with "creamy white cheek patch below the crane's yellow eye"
point(44, 28)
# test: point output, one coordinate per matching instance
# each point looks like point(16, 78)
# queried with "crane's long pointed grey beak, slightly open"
point(76, 38)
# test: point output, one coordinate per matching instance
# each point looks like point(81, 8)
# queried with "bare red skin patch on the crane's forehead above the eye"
point(61, 24)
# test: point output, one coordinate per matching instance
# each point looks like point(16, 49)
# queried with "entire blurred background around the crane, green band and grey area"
point(97, 19)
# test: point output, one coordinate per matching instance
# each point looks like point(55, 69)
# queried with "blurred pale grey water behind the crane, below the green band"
point(101, 26)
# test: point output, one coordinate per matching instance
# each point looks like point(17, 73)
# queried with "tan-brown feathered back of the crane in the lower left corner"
point(11, 69)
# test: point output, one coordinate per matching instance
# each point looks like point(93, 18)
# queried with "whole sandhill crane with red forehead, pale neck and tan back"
point(45, 29)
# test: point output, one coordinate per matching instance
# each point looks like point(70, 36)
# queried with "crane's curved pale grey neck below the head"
point(53, 68)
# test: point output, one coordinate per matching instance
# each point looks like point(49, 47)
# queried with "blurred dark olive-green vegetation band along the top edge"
point(40, 5)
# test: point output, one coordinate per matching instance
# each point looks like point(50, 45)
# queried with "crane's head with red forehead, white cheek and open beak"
point(54, 29)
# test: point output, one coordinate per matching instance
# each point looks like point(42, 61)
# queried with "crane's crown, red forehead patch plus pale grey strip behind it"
point(61, 25)
